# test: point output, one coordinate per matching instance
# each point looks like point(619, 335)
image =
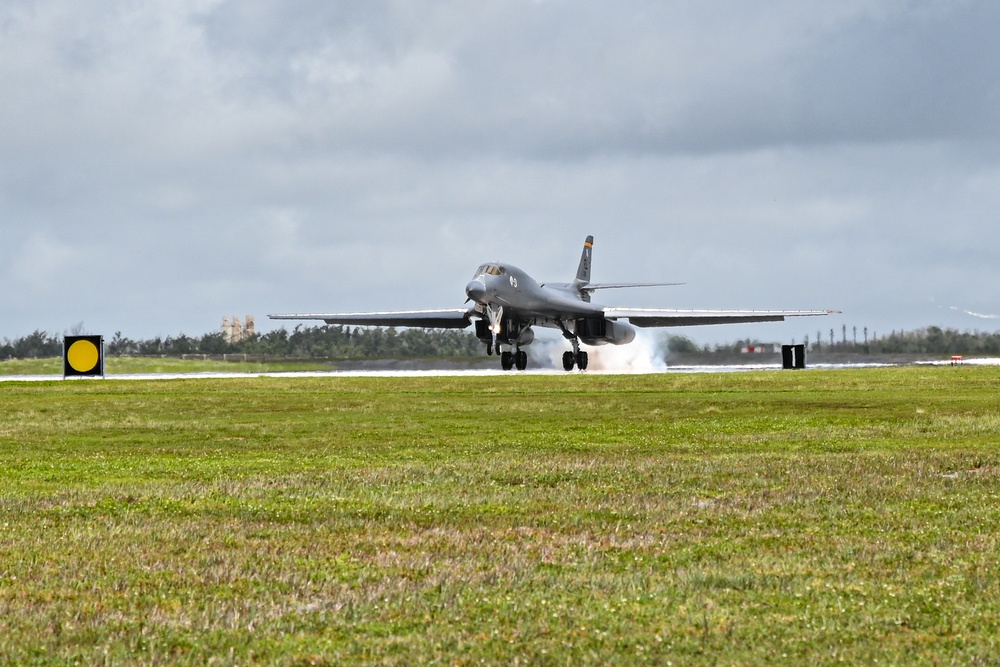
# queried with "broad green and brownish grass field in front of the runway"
point(813, 517)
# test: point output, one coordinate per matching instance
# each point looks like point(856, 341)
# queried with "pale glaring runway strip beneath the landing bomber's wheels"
point(740, 368)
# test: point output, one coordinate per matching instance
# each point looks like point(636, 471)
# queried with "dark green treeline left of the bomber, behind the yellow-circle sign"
point(320, 342)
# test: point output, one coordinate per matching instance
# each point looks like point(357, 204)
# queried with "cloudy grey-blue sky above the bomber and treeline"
point(165, 164)
